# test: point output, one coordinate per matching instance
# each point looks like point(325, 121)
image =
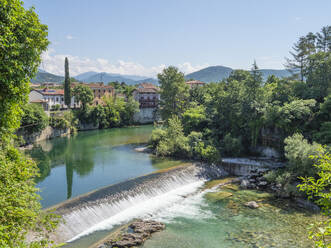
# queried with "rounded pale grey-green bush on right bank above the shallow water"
point(298, 152)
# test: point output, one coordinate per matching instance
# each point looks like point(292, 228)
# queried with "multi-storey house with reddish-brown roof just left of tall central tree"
point(148, 96)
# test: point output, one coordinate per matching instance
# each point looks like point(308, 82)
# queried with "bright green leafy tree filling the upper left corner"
point(22, 40)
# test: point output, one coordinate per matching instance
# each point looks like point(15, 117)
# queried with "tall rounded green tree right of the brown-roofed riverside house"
point(174, 92)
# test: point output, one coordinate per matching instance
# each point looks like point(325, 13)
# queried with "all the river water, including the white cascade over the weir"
point(194, 217)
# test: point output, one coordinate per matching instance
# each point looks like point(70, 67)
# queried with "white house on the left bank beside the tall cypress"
point(50, 98)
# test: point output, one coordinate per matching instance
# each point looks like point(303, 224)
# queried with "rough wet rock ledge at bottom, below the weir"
point(133, 235)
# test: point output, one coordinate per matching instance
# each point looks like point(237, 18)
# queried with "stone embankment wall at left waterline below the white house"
point(47, 133)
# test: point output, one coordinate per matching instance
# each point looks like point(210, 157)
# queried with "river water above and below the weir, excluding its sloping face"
point(90, 160)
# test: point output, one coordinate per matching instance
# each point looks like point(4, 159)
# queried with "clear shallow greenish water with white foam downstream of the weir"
point(196, 220)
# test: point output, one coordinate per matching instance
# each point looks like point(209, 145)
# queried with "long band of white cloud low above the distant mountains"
point(54, 63)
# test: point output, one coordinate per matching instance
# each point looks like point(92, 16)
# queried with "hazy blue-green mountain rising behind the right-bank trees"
point(218, 73)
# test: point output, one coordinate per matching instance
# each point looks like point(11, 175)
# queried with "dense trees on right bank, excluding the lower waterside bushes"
point(243, 112)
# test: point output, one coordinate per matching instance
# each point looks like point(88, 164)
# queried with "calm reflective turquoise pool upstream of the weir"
point(89, 160)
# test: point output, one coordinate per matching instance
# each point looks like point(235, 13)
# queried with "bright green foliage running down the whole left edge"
point(22, 40)
